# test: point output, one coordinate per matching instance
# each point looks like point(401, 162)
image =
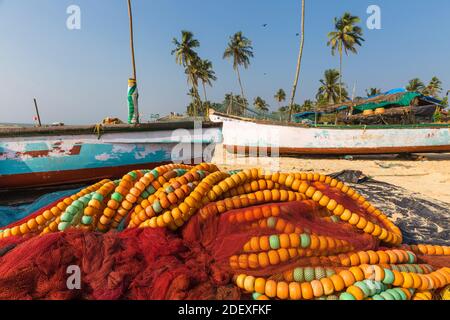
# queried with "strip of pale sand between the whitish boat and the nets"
point(428, 175)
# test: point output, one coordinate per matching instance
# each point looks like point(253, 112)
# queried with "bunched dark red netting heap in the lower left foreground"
point(135, 264)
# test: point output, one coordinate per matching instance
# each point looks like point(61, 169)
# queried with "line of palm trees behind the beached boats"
point(345, 38)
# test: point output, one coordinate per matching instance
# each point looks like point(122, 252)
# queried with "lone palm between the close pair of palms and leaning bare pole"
point(241, 50)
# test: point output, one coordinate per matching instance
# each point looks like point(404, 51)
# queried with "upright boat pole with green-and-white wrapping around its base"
point(133, 95)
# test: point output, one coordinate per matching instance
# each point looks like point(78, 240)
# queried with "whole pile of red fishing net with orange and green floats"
point(195, 232)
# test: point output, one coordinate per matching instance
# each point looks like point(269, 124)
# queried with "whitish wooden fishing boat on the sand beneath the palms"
point(243, 135)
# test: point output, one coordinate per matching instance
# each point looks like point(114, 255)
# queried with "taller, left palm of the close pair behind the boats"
point(188, 58)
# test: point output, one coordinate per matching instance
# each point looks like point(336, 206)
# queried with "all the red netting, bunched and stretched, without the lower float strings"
point(156, 263)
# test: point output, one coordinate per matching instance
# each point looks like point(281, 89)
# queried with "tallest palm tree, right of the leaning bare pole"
point(346, 36)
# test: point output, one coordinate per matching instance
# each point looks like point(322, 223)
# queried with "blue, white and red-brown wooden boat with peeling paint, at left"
point(48, 156)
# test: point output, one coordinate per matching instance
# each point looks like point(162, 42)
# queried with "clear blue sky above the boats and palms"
point(81, 76)
